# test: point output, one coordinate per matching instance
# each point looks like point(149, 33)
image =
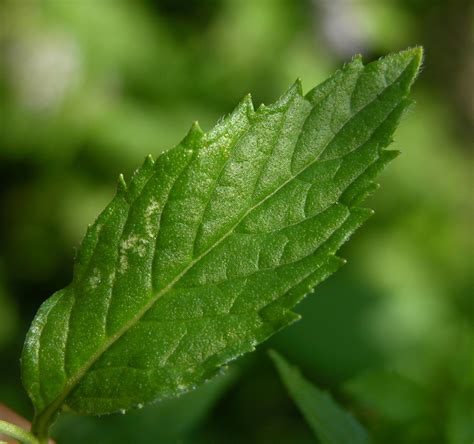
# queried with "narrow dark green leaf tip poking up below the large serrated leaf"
point(329, 422)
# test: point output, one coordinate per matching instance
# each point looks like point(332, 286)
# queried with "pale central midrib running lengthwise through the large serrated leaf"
point(69, 386)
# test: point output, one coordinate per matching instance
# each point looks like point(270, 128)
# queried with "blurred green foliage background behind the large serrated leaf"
point(88, 88)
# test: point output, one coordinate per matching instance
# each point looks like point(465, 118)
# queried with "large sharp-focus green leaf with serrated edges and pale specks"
point(207, 249)
